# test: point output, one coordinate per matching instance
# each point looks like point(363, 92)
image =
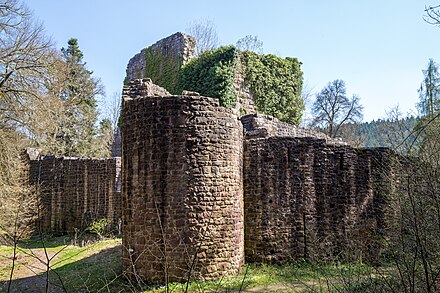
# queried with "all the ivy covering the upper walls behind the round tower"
point(275, 83)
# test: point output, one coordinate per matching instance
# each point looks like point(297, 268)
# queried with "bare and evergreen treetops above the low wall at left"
point(47, 96)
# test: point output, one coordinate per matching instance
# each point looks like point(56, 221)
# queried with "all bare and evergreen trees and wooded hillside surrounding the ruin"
point(49, 99)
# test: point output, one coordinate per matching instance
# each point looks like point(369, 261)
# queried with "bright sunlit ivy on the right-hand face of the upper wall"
point(276, 85)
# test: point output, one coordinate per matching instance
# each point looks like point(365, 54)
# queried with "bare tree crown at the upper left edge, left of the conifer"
point(24, 55)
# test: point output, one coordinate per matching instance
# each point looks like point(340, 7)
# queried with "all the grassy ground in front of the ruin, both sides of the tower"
point(97, 267)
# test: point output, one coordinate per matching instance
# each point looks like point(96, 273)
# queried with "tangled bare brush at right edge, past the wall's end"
point(415, 247)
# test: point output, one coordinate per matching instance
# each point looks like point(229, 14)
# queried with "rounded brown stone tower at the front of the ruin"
point(182, 187)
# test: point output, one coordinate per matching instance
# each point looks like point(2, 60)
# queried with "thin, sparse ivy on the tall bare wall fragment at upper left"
point(164, 70)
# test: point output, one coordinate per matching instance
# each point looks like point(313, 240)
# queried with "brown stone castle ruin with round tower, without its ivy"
point(205, 189)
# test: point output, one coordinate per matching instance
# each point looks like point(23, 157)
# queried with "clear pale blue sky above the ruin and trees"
point(379, 47)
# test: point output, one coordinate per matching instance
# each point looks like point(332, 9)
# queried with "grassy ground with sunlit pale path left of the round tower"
point(74, 267)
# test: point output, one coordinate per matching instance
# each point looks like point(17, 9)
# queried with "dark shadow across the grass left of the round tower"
point(100, 271)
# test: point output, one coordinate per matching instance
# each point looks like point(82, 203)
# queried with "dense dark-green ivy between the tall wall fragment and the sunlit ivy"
point(212, 74)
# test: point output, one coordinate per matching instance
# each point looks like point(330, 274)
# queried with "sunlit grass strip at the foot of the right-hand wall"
point(297, 276)
